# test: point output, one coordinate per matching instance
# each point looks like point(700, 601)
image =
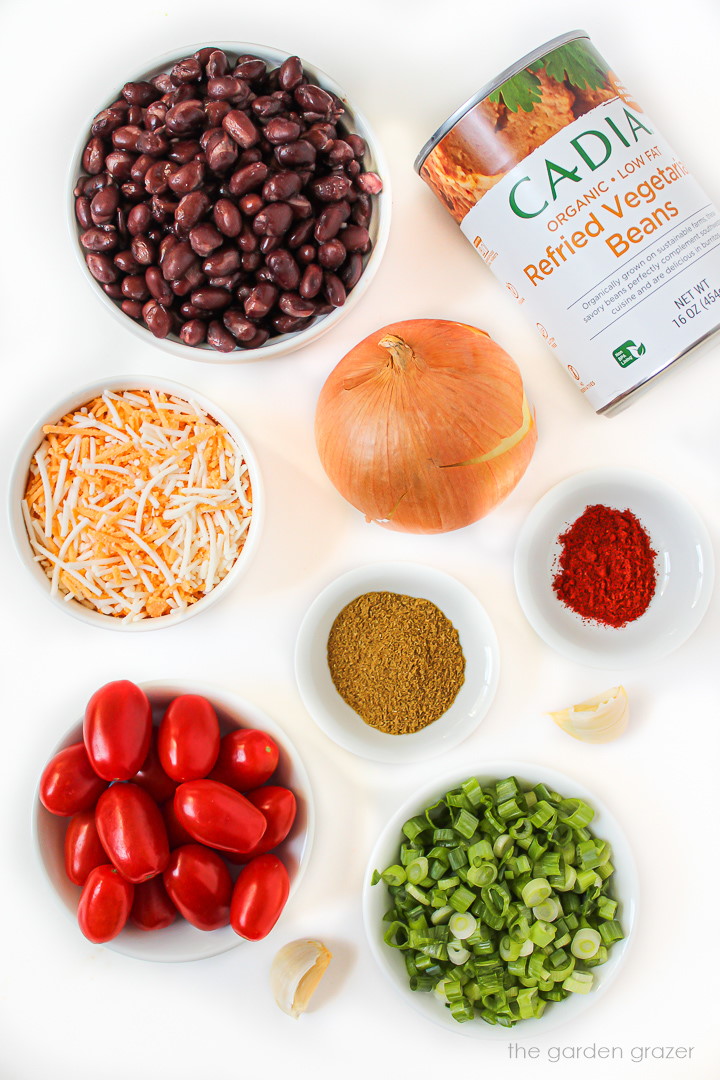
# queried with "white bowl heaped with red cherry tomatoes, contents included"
point(174, 821)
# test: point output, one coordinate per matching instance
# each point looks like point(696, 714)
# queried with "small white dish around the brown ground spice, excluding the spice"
point(478, 639)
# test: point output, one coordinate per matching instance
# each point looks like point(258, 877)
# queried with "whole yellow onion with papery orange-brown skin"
point(425, 426)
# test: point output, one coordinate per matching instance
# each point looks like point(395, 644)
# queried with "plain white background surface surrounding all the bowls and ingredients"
point(73, 1010)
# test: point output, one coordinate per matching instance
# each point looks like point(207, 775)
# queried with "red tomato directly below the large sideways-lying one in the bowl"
point(200, 886)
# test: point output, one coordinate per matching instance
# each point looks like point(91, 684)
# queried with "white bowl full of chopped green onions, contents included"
point(501, 902)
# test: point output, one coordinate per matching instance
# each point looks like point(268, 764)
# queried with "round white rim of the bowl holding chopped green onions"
point(525, 772)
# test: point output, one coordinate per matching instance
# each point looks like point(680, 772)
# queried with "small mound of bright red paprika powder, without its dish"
point(607, 568)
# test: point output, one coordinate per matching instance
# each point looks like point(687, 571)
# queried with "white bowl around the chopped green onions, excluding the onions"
point(376, 899)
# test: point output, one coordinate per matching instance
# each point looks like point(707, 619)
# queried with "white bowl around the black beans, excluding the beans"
point(379, 228)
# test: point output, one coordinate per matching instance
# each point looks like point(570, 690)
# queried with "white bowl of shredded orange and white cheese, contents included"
point(135, 504)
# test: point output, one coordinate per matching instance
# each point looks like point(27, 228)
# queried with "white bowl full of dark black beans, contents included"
point(228, 204)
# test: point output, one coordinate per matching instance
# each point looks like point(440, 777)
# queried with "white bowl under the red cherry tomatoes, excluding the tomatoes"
point(182, 941)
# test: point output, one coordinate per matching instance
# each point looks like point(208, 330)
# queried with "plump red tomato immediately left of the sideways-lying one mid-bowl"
point(133, 832)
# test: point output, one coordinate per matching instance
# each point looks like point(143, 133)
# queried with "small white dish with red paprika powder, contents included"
point(614, 569)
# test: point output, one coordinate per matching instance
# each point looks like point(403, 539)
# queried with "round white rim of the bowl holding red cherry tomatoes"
point(218, 941)
